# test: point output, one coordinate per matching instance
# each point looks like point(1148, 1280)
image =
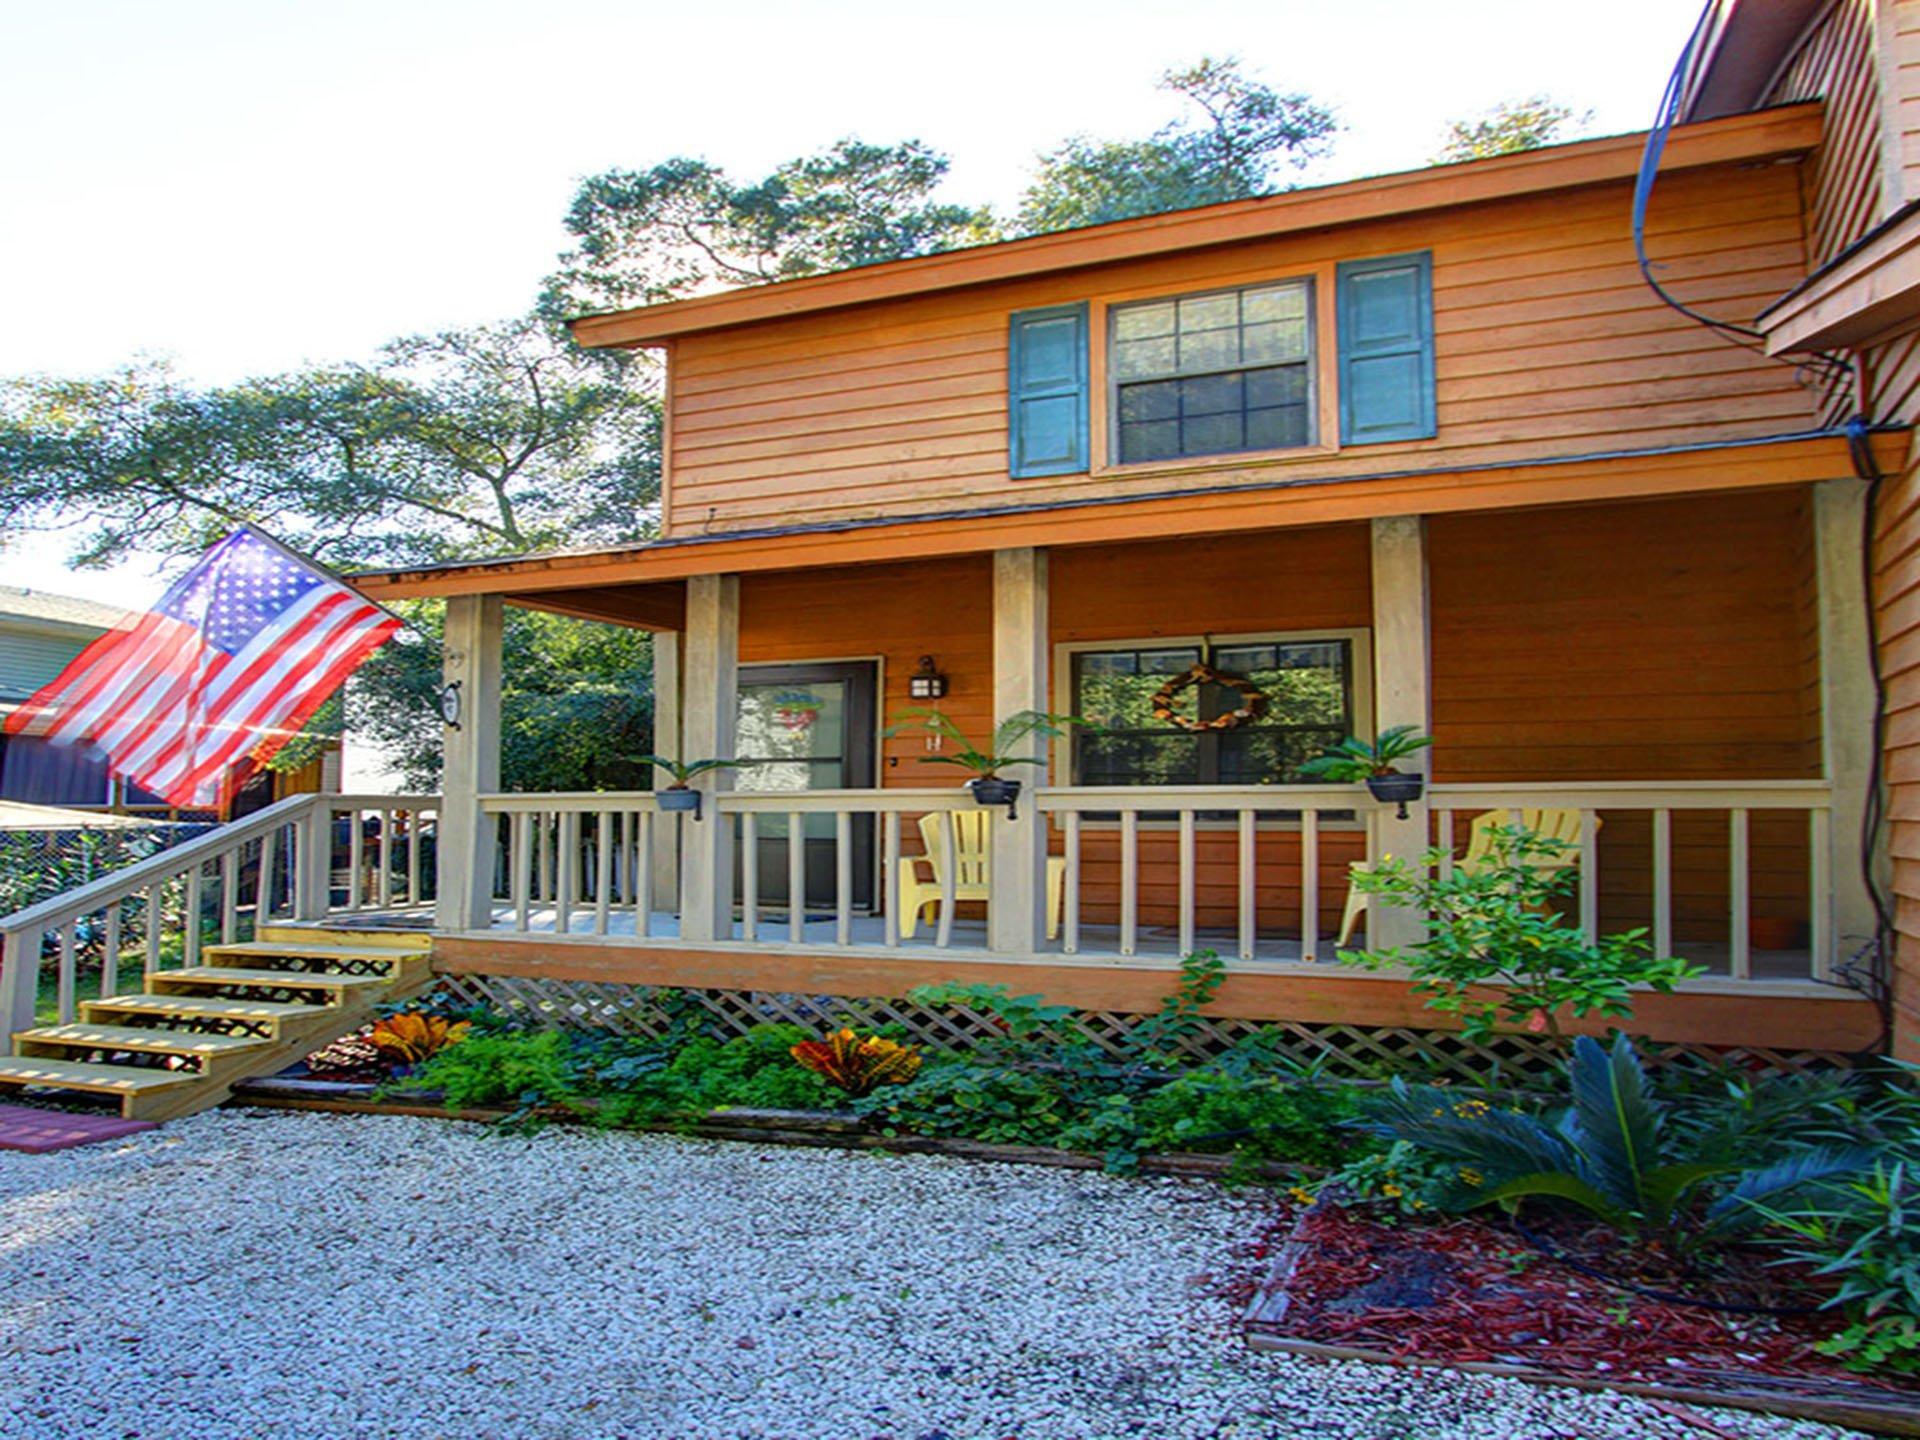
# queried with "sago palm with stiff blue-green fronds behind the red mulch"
point(1610, 1153)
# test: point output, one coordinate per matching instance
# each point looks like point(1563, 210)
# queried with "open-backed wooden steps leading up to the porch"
point(249, 1009)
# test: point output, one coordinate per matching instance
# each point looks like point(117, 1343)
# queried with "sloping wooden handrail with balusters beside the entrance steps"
point(293, 861)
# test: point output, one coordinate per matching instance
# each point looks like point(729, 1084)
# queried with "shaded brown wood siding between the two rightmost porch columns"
point(1668, 640)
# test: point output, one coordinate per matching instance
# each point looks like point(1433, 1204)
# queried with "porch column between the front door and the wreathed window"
point(1017, 917)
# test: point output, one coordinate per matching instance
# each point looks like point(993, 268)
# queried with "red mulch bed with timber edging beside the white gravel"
point(1479, 1297)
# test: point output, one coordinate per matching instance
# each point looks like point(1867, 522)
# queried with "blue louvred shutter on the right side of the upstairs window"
point(1387, 348)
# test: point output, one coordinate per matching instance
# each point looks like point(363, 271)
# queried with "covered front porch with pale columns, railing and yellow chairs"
point(1689, 675)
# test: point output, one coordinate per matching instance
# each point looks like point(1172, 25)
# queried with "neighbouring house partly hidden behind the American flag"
point(39, 636)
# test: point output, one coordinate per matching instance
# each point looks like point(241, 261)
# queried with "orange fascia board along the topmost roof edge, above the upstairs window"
point(1737, 139)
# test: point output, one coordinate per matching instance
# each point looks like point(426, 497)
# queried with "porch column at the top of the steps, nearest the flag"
point(471, 660)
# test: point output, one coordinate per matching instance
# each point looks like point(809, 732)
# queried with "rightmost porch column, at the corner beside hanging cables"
point(1846, 708)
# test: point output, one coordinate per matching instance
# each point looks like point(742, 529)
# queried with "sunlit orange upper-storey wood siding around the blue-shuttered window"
point(1548, 343)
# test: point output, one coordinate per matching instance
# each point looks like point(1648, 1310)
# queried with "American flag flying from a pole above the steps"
point(237, 656)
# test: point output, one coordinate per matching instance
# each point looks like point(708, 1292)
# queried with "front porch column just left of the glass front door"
point(709, 704)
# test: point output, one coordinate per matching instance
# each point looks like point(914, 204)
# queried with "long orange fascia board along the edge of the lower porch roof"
point(650, 579)
